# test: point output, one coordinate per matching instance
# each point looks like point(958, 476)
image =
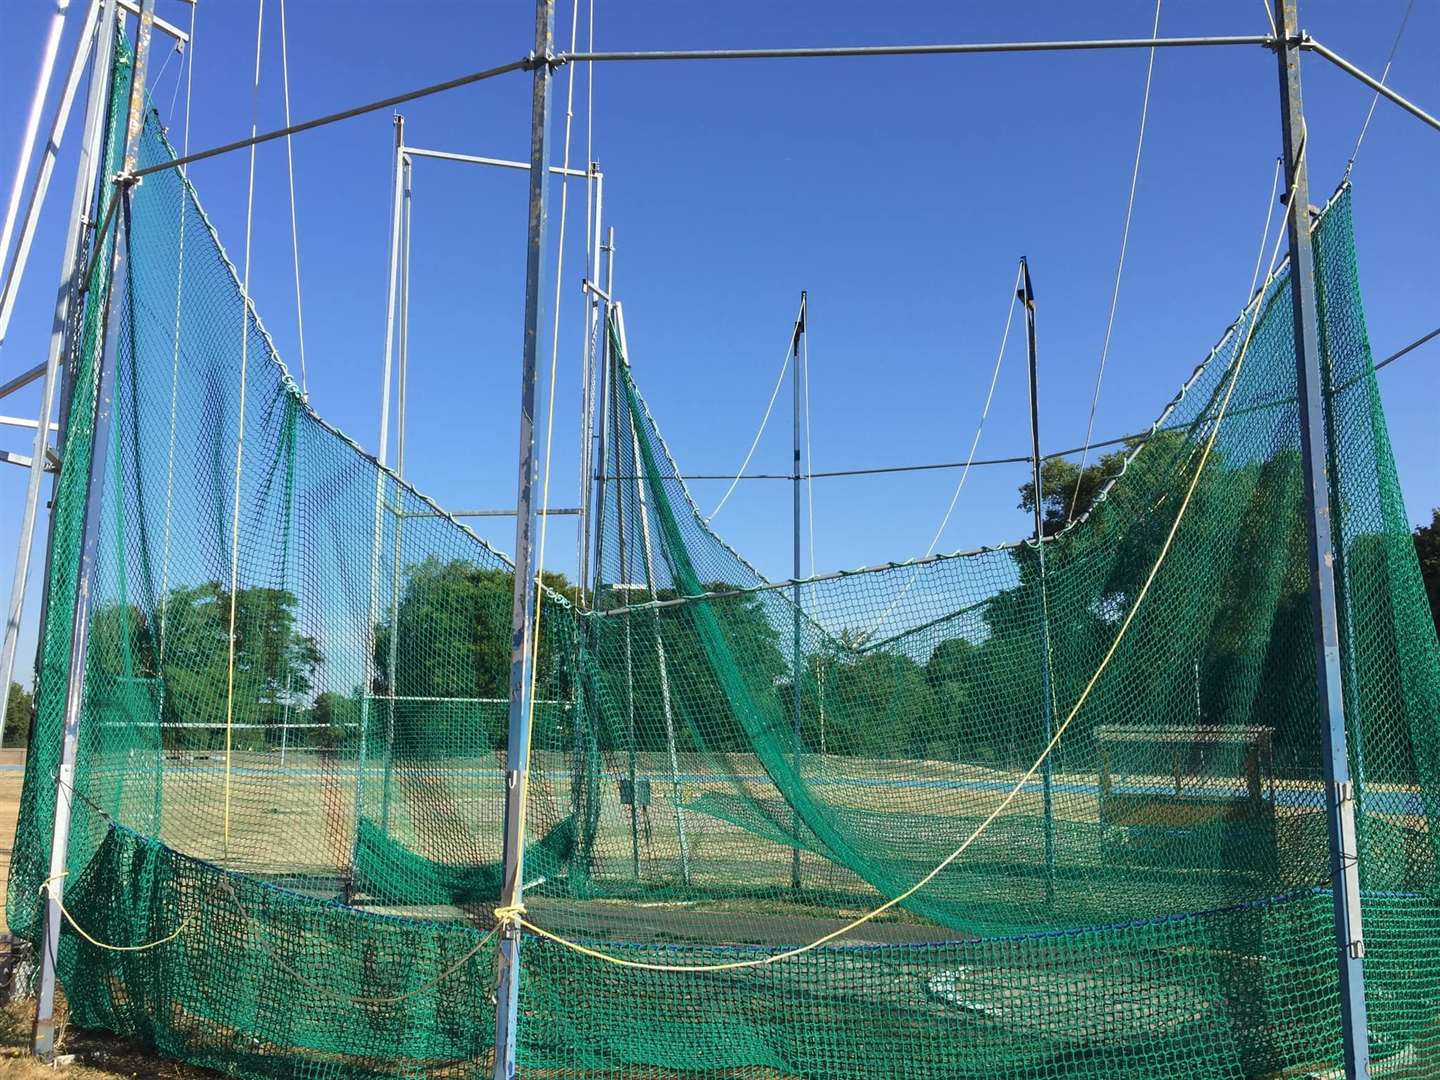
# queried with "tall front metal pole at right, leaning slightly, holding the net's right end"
point(1340, 790)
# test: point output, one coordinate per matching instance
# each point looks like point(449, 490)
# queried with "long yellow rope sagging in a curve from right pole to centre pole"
point(518, 912)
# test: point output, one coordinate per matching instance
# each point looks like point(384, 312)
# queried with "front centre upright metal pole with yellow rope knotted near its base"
point(525, 600)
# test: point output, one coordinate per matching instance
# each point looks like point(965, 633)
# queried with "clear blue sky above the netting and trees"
point(899, 192)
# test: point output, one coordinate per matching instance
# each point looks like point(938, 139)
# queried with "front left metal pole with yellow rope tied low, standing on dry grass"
point(44, 1043)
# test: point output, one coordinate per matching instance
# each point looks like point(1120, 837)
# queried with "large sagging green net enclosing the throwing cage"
point(293, 744)
